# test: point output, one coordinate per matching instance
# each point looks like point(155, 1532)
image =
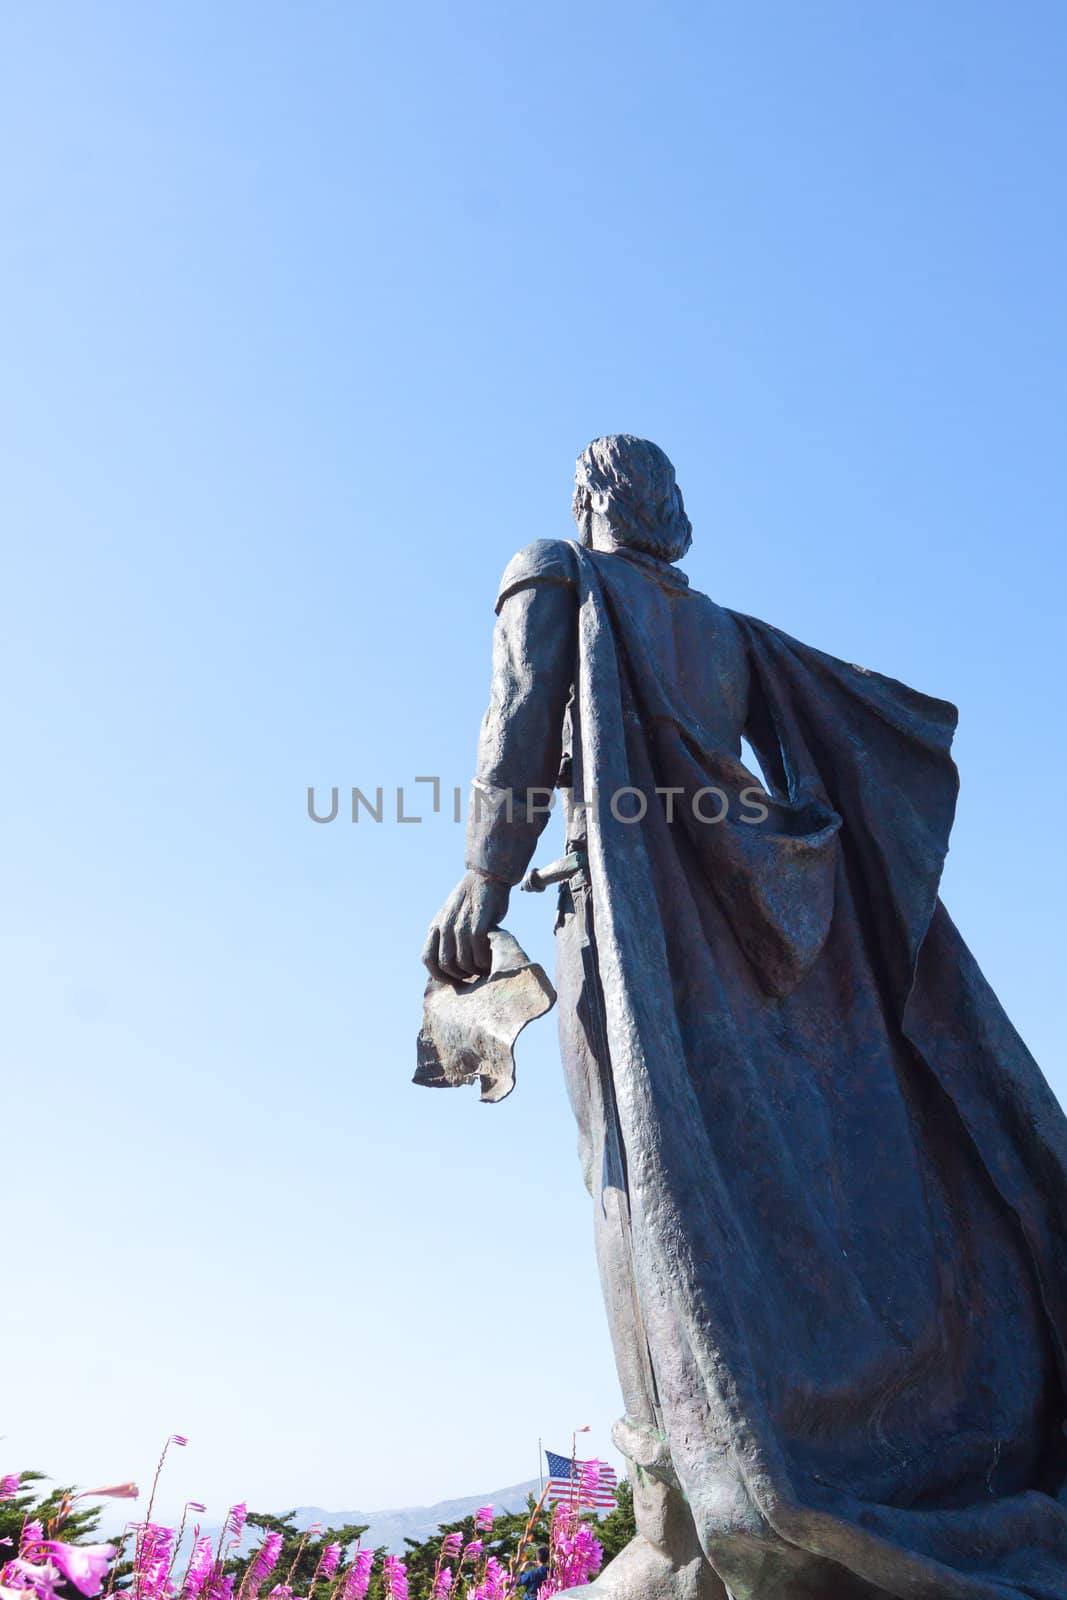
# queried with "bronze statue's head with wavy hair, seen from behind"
point(626, 495)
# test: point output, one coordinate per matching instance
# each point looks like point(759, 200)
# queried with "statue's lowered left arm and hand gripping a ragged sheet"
point(519, 761)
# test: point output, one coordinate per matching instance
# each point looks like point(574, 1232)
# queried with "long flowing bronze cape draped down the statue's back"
point(845, 1174)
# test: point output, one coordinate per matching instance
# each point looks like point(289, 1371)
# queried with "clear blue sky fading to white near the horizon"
point(308, 311)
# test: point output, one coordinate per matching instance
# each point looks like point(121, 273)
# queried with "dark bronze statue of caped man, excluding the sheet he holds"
point(829, 1182)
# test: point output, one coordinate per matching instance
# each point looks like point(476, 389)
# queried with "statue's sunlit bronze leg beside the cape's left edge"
point(665, 1562)
